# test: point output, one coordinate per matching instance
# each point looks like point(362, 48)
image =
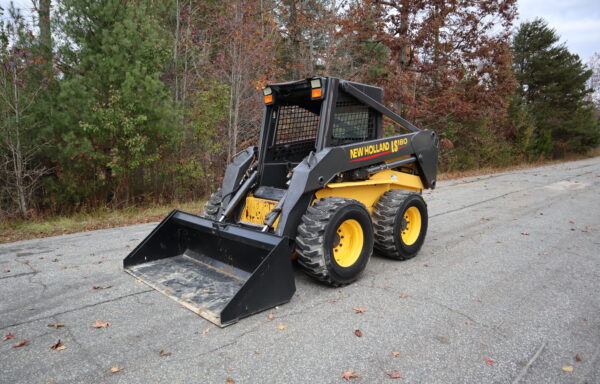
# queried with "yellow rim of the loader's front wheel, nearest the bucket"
point(348, 243)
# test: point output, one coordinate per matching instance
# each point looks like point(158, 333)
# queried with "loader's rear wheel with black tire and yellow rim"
point(400, 224)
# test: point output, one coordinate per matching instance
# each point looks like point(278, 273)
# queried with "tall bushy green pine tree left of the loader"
point(116, 111)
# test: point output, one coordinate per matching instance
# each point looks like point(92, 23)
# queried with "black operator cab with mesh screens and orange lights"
point(299, 120)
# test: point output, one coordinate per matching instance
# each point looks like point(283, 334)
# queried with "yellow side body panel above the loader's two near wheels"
point(369, 191)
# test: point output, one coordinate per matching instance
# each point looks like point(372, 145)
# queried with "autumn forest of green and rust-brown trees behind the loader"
point(118, 103)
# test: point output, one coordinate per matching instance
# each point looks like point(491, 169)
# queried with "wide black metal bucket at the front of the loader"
point(221, 272)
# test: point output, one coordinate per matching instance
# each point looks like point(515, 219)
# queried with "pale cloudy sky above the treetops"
point(577, 22)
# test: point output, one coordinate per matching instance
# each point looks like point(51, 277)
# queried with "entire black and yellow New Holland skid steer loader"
point(324, 186)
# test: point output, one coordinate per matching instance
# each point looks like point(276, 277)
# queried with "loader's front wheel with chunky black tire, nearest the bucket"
point(335, 240)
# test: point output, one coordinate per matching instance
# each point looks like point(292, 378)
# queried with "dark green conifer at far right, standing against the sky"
point(552, 86)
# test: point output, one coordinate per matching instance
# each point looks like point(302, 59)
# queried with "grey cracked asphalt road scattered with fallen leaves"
point(505, 290)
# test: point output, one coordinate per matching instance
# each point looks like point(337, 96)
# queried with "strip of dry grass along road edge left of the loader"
point(17, 230)
